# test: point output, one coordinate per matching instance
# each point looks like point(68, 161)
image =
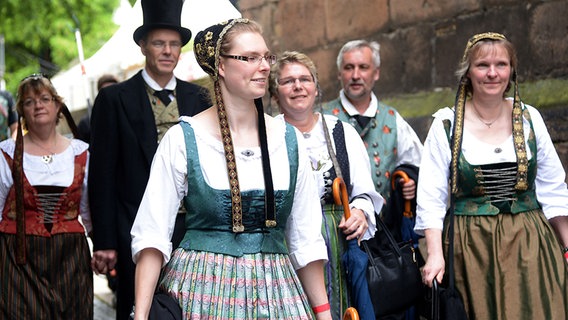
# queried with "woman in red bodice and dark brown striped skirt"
point(45, 268)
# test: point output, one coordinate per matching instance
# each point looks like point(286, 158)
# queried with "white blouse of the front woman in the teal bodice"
point(167, 185)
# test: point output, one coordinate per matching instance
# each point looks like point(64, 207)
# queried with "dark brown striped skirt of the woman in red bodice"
point(55, 283)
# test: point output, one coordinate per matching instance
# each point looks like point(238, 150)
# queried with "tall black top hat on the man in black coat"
point(162, 14)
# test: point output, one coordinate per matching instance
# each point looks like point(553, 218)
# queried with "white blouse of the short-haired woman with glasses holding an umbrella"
point(368, 199)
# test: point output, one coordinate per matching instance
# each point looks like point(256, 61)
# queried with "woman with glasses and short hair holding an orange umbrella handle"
point(335, 149)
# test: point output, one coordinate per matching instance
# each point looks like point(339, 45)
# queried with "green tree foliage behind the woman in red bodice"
point(40, 36)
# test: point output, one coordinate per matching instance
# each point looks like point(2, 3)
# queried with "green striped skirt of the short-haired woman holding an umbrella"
point(335, 274)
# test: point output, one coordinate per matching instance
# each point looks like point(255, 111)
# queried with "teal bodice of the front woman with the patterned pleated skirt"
point(208, 219)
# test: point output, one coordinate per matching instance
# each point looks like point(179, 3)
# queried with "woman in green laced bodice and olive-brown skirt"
point(511, 201)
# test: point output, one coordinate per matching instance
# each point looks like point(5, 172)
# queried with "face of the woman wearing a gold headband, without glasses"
point(490, 70)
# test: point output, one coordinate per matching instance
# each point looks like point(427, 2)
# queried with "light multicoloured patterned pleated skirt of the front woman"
point(216, 286)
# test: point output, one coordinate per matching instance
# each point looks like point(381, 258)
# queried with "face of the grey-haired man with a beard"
point(358, 74)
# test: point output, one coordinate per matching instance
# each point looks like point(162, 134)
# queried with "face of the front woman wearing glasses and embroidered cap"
point(245, 79)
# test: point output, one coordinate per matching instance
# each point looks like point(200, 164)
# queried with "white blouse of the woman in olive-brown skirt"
point(432, 190)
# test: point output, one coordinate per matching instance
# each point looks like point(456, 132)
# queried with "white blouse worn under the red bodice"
point(59, 172)
